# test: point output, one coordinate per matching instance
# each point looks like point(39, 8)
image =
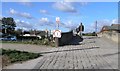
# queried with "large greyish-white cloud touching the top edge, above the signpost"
point(64, 7)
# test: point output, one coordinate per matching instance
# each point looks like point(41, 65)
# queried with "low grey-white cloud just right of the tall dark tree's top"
point(24, 25)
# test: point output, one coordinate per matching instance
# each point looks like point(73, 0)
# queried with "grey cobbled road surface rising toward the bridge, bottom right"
point(91, 54)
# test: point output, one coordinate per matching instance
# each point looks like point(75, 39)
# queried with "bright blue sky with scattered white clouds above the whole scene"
point(42, 15)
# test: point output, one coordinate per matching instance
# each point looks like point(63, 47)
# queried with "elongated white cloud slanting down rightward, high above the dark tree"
point(24, 14)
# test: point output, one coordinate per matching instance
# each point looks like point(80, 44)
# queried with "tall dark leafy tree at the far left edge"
point(8, 25)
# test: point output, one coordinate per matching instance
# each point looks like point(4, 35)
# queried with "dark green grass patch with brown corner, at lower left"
point(12, 56)
